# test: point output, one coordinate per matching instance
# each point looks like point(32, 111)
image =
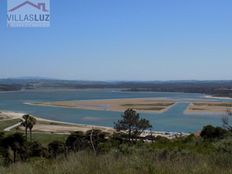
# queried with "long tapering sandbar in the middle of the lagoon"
point(139, 104)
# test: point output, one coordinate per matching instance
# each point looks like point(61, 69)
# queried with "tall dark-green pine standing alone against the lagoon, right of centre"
point(132, 123)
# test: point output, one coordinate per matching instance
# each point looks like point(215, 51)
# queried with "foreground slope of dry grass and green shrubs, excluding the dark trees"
point(183, 155)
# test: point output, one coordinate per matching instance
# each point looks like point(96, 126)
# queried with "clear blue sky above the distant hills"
point(123, 40)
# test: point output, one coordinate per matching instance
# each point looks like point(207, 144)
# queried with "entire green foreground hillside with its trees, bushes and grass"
point(123, 152)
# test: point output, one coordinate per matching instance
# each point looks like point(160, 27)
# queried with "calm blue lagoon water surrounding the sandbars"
point(172, 120)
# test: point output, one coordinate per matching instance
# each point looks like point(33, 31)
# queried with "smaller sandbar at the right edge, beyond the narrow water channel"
point(209, 107)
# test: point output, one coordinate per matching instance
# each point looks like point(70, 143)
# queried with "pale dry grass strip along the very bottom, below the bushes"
point(115, 163)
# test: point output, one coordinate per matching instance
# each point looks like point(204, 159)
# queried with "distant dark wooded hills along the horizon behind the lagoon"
point(216, 88)
